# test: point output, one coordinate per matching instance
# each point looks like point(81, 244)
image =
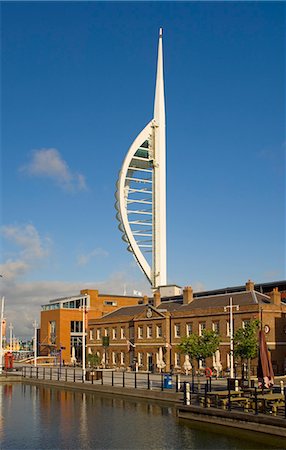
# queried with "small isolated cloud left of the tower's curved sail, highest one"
point(48, 163)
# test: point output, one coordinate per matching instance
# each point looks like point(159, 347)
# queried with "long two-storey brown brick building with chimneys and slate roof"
point(142, 334)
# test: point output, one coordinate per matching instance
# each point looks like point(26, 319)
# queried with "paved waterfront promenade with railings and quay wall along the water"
point(249, 410)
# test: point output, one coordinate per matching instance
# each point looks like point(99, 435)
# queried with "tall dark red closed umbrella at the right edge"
point(265, 372)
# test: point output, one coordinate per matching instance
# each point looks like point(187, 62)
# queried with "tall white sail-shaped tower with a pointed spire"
point(141, 190)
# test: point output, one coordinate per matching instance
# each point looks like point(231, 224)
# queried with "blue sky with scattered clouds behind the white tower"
point(78, 83)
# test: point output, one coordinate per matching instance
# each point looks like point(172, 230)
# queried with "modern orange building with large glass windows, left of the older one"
point(61, 328)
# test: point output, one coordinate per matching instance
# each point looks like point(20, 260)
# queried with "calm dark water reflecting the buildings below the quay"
point(33, 417)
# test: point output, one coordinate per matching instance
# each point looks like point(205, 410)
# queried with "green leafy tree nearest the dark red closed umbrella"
point(246, 343)
